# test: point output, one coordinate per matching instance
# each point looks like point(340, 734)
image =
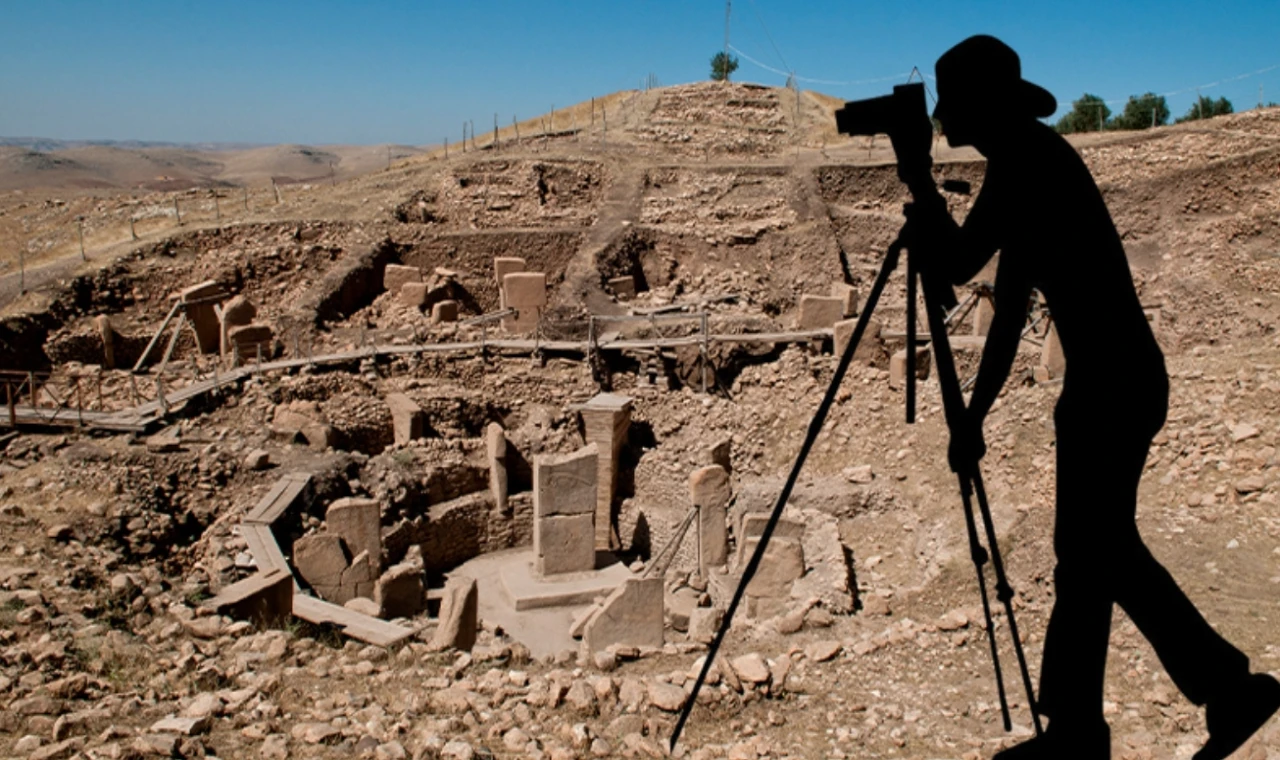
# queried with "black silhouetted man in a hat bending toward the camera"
point(1040, 208)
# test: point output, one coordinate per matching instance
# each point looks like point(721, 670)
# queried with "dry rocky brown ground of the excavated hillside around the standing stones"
point(734, 202)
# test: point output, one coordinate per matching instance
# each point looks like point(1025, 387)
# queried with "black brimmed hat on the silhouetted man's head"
point(985, 68)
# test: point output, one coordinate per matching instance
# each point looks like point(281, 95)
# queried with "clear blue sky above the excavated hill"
point(412, 72)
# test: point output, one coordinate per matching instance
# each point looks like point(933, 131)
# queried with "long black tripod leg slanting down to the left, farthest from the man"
point(820, 418)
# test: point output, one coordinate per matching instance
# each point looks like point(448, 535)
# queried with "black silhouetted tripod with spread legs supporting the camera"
point(938, 295)
